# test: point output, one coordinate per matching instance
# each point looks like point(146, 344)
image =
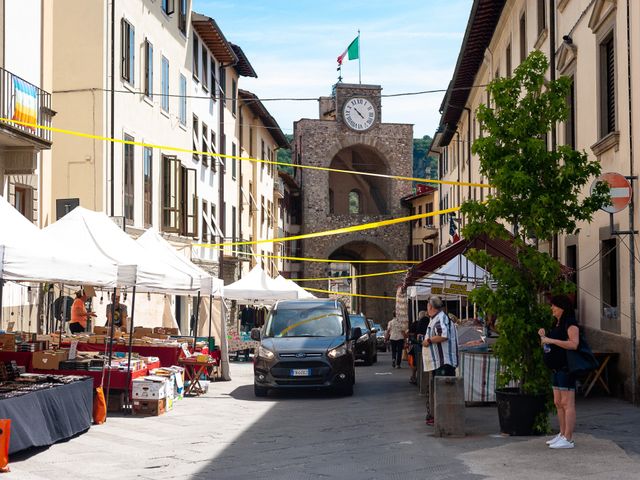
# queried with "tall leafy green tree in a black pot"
point(537, 193)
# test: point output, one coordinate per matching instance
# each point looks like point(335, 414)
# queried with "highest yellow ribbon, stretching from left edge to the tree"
point(234, 157)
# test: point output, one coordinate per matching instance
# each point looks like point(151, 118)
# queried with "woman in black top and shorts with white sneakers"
point(563, 336)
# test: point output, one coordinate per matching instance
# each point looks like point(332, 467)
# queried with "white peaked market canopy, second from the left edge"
point(96, 235)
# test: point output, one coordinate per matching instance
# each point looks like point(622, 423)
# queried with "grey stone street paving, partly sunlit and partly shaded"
point(379, 433)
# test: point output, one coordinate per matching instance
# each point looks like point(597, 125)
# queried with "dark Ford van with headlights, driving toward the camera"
point(305, 343)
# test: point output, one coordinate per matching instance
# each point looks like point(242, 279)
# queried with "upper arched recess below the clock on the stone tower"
point(372, 193)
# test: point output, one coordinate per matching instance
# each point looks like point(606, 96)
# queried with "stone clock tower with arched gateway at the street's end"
point(358, 156)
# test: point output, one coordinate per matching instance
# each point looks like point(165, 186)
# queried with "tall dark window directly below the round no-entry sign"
point(609, 285)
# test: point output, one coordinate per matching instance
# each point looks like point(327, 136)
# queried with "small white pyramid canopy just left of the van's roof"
point(257, 287)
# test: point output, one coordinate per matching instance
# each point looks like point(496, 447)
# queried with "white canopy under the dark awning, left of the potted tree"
point(458, 270)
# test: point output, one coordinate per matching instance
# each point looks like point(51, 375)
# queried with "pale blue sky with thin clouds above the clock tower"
point(405, 46)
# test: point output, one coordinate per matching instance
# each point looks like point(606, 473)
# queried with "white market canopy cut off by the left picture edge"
point(27, 255)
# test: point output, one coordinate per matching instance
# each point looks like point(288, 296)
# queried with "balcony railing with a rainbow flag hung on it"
point(24, 102)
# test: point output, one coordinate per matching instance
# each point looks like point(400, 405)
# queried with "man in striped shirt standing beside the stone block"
point(440, 352)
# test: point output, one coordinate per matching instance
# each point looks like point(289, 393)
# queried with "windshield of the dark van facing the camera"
point(311, 322)
